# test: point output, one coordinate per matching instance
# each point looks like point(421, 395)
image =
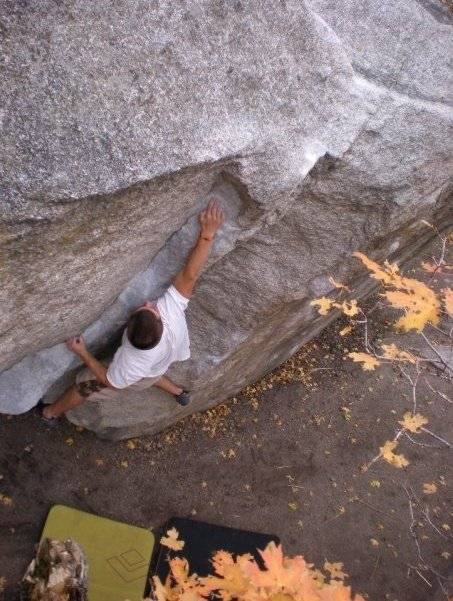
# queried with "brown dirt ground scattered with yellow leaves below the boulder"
point(286, 457)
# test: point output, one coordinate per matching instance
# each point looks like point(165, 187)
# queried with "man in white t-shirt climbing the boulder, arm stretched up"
point(156, 335)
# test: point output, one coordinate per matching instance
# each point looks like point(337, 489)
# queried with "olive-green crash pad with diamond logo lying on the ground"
point(118, 554)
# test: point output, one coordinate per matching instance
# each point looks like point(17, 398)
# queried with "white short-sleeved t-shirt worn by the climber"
point(130, 364)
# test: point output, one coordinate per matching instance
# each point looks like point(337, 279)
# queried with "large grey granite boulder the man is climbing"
point(322, 126)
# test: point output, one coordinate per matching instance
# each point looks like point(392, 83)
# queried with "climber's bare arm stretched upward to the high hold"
point(210, 221)
